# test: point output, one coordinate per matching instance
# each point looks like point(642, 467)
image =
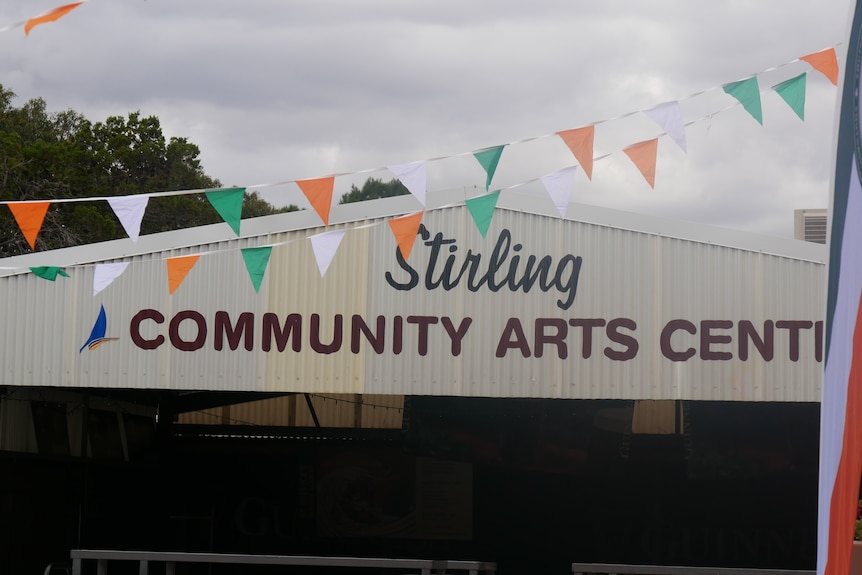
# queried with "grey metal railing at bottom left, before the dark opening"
point(171, 558)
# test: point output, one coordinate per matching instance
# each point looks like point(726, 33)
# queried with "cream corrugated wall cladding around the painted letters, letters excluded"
point(648, 277)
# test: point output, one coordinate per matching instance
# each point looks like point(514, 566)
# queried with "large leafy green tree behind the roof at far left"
point(55, 156)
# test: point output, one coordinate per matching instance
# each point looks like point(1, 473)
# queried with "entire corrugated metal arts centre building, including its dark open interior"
point(594, 360)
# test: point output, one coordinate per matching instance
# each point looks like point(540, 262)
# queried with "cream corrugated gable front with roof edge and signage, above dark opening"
point(602, 306)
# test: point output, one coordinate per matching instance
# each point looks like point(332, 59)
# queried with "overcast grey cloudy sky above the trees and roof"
point(279, 90)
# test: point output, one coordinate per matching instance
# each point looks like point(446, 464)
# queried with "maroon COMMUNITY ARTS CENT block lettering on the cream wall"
point(616, 339)
